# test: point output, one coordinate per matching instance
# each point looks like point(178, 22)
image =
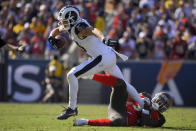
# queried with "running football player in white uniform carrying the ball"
point(93, 42)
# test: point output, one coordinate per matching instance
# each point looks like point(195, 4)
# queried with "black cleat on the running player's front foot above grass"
point(68, 113)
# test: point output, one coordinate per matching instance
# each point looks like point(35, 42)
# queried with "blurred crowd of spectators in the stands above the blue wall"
point(145, 29)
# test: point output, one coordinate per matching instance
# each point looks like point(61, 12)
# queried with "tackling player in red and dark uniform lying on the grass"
point(123, 111)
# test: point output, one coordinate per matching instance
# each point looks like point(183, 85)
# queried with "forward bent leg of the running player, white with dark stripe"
point(85, 68)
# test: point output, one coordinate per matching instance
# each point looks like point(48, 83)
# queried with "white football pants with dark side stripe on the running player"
point(105, 62)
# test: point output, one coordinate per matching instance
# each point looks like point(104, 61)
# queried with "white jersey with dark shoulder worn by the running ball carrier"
point(91, 44)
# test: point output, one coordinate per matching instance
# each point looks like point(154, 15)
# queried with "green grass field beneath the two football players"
point(42, 117)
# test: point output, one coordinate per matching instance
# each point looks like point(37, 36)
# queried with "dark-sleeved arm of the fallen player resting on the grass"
point(147, 120)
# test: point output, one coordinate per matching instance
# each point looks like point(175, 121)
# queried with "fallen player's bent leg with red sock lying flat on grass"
point(116, 110)
